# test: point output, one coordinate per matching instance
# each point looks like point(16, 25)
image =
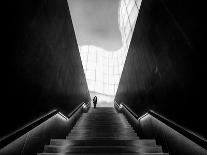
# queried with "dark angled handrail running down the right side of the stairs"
point(190, 135)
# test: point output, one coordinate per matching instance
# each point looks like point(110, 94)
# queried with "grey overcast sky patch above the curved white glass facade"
point(96, 23)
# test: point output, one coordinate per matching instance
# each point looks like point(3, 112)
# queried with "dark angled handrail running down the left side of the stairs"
point(18, 133)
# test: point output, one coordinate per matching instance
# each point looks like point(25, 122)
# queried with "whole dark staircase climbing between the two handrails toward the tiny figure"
point(102, 131)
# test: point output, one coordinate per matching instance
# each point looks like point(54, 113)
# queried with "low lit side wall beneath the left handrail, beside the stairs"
point(33, 142)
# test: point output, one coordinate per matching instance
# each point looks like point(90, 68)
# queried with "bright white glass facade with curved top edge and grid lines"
point(103, 68)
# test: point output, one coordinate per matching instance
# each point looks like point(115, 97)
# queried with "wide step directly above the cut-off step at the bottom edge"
point(103, 149)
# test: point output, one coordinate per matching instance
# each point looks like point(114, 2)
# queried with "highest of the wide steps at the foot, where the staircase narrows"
point(145, 142)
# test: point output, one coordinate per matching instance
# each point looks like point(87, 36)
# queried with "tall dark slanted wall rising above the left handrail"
point(42, 63)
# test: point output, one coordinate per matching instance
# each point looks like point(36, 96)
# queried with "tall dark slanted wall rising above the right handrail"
point(165, 68)
